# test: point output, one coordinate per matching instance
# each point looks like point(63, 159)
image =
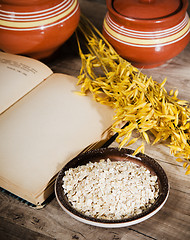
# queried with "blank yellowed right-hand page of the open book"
point(47, 128)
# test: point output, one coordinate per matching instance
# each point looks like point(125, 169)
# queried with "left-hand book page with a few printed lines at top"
point(18, 75)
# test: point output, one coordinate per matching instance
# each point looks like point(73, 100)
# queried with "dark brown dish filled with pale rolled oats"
point(111, 188)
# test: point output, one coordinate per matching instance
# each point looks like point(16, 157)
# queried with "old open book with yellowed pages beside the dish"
point(43, 124)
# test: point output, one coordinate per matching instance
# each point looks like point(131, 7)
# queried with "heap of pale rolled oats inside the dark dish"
point(110, 189)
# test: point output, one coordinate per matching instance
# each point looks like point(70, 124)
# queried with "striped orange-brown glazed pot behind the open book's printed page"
point(36, 28)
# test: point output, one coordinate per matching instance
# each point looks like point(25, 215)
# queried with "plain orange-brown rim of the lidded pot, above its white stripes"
point(176, 16)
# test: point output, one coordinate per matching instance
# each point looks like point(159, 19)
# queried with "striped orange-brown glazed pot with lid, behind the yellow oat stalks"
point(147, 32)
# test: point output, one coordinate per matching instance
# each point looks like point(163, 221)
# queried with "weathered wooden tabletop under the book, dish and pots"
point(18, 221)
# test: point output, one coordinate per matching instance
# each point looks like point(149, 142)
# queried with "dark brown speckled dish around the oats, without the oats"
point(113, 154)
